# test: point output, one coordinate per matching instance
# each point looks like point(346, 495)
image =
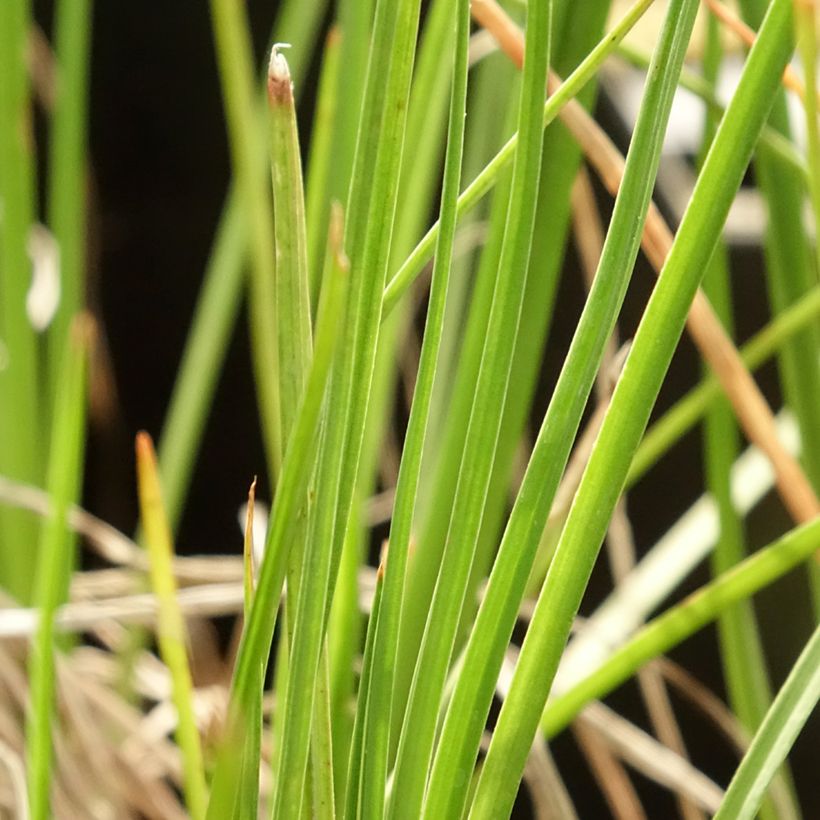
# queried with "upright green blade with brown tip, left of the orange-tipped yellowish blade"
point(55, 563)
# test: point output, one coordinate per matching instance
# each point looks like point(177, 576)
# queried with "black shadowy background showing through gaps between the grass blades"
point(159, 174)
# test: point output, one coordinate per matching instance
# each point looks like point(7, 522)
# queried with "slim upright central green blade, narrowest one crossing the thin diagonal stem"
point(379, 704)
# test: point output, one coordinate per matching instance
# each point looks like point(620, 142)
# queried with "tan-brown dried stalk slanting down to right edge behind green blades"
point(750, 407)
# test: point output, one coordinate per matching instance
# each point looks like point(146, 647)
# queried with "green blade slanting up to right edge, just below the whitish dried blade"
point(677, 624)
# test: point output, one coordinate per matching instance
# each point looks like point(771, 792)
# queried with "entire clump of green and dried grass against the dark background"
point(449, 163)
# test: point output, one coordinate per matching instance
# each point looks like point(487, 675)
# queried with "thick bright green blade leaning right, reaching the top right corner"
point(626, 418)
